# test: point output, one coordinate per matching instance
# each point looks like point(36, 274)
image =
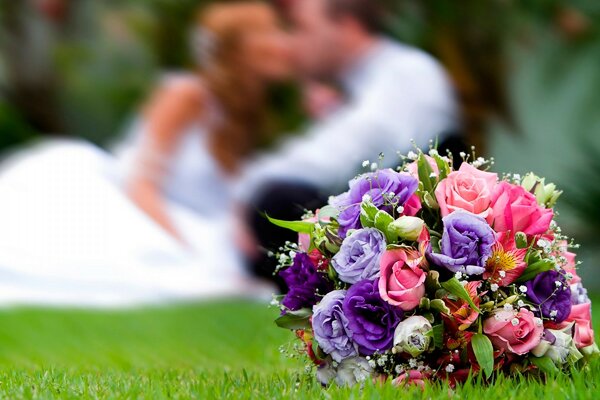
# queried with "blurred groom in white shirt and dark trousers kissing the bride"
point(395, 94)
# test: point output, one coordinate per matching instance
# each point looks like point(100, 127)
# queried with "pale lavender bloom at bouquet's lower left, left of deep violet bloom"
point(330, 326)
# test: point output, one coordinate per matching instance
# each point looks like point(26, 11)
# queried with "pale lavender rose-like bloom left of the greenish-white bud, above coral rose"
point(359, 255)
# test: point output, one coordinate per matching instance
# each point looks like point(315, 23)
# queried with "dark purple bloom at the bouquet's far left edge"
point(305, 283)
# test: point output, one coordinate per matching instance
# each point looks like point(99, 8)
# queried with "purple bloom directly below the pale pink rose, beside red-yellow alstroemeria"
point(466, 243)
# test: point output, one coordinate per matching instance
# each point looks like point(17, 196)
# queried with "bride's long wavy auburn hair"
point(219, 42)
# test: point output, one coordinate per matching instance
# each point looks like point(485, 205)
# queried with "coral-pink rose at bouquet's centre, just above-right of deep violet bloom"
point(402, 281)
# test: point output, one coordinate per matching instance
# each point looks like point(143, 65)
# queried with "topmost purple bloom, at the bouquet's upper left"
point(397, 188)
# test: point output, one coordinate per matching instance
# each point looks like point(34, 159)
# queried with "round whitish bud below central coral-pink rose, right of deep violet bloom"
point(413, 335)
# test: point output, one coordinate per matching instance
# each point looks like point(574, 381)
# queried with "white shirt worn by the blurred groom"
point(396, 93)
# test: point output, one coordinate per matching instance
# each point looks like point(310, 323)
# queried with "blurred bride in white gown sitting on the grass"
point(149, 221)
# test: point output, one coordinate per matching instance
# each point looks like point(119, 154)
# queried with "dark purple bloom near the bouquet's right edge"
point(550, 292)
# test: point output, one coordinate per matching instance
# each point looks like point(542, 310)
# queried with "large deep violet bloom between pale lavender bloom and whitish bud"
point(371, 320)
